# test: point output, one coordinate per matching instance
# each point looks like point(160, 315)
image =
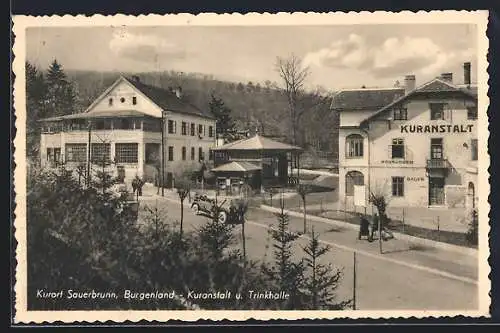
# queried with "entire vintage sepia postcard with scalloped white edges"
point(258, 166)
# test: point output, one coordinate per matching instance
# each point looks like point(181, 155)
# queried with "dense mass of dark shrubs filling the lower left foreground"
point(82, 239)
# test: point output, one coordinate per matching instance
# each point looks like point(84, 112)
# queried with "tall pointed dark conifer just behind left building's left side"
point(61, 96)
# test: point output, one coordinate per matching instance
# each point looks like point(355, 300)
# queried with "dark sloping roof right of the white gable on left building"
point(167, 100)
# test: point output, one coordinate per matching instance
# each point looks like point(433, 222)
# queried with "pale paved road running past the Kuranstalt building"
point(402, 278)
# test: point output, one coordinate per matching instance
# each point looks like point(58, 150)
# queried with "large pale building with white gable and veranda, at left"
point(129, 128)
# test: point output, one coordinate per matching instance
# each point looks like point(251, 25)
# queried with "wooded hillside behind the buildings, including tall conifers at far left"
point(273, 109)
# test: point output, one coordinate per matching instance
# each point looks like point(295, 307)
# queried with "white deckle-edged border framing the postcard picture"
point(22, 315)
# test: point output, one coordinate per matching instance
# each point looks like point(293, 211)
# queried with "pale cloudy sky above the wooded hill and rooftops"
point(337, 56)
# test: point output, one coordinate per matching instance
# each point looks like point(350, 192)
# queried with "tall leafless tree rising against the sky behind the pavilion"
point(293, 75)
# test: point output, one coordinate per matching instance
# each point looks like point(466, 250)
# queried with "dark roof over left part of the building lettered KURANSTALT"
point(364, 99)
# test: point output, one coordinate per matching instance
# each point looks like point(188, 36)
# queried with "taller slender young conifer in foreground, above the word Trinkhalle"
point(287, 274)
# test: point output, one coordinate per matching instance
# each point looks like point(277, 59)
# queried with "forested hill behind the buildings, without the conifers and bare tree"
point(252, 105)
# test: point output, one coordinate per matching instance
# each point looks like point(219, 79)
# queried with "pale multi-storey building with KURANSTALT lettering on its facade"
point(418, 145)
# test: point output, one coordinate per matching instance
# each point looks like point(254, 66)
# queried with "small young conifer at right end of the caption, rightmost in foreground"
point(320, 285)
